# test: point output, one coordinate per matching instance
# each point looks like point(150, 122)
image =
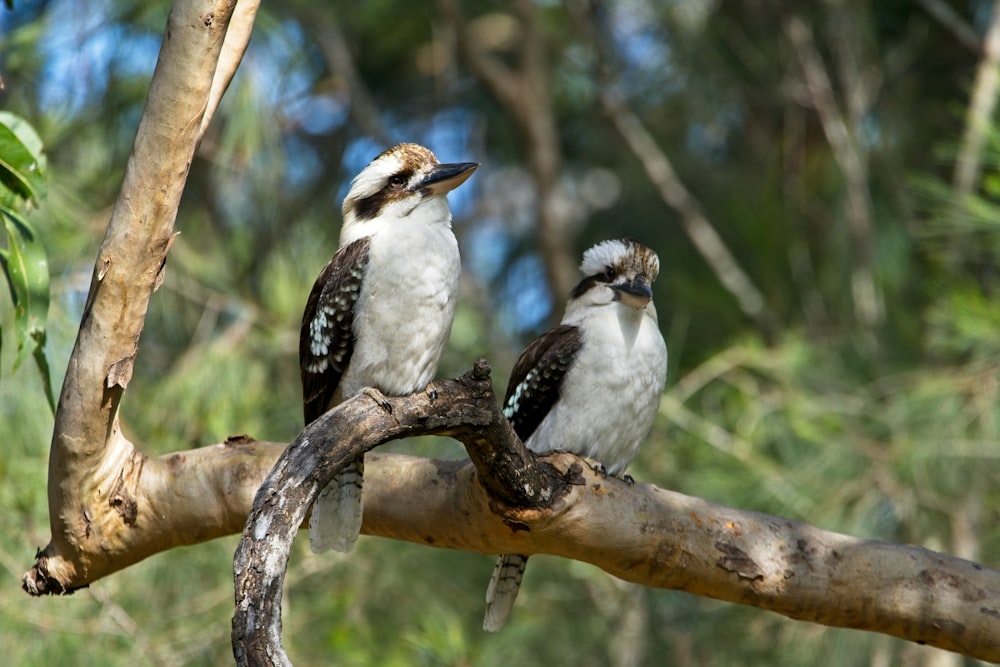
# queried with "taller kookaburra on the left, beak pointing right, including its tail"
point(380, 312)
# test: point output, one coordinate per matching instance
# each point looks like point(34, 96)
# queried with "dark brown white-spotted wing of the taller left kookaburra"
point(326, 339)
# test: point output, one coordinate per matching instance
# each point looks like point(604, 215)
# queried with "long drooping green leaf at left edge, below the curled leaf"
point(27, 271)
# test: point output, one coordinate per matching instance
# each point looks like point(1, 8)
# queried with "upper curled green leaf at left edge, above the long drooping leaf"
point(22, 162)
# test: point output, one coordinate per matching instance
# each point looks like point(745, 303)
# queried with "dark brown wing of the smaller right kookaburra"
point(537, 378)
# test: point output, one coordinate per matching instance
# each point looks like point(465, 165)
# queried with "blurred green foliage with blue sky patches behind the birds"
point(887, 431)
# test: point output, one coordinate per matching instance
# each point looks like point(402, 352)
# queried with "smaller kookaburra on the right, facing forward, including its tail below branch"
point(590, 386)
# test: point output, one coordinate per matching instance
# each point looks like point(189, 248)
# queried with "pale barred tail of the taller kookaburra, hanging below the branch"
point(336, 515)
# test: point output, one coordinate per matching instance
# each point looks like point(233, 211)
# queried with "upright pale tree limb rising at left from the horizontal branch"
point(90, 460)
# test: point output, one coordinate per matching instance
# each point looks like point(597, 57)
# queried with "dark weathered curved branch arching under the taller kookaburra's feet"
point(465, 408)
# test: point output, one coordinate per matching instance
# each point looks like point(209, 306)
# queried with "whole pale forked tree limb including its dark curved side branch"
point(111, 505)
